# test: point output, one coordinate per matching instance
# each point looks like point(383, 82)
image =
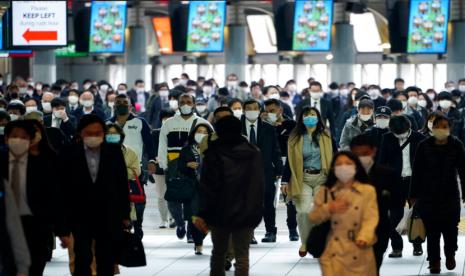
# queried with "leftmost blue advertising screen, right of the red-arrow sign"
point(107, 27)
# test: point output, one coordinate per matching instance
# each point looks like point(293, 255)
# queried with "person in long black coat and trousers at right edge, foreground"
point(435, 190)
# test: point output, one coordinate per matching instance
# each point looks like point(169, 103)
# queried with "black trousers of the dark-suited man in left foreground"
point(105, 252)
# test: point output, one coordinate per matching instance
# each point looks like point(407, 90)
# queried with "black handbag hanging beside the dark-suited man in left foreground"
point(132, 252)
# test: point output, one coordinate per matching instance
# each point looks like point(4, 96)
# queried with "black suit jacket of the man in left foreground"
point(97, 207)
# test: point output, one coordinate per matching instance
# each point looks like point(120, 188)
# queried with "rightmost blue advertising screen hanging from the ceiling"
point(428, 26)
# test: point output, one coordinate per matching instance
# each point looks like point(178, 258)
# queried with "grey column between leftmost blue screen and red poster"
point(136, 55)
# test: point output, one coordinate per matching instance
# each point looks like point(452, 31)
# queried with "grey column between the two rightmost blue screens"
point(343, 50)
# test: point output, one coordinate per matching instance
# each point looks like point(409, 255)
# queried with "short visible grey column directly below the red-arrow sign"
point(44, 66)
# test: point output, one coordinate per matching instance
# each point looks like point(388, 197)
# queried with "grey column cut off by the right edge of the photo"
point(455, 52)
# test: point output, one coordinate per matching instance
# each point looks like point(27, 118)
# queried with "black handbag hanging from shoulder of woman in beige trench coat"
point(316, 242)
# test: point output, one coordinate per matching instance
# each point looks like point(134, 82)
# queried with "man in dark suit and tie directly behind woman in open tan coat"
point(324, 106)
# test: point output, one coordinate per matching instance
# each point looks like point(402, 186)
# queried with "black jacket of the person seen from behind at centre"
point(232, 185)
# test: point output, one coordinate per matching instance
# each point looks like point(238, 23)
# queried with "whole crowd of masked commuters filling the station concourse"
point(73, 158)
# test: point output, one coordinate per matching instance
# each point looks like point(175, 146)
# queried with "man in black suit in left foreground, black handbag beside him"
point(95, 199)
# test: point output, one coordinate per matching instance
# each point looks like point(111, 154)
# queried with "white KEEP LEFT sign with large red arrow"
point(39, 23)
